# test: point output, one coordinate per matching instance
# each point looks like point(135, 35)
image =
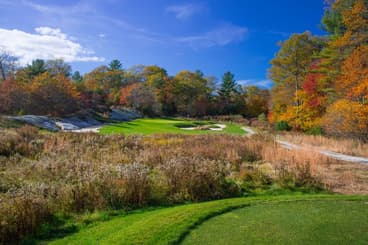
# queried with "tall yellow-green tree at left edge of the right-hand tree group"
point(289, 68)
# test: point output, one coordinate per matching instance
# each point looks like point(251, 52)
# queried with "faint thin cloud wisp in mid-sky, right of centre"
point(221, 36)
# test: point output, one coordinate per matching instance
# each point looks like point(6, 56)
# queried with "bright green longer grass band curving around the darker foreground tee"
point(171, 225)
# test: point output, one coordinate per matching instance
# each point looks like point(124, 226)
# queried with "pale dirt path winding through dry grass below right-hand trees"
point(332, 154)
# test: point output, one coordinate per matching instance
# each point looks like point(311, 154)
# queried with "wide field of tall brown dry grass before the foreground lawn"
point(44, 174)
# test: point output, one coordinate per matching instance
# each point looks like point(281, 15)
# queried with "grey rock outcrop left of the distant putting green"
point(76, 122)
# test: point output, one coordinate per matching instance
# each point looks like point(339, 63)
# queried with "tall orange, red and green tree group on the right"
point(321, 82)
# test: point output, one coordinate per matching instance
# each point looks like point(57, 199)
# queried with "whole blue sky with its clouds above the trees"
point(213, 36)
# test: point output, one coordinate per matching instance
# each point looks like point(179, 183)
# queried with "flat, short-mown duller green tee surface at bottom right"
point(317, 222)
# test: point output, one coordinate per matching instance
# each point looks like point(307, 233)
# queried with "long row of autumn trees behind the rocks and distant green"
point(50, 88)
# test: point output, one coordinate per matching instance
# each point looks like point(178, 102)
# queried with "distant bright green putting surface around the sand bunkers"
point(166, 126)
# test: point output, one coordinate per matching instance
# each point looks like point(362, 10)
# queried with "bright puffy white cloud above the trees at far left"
point(46, 43)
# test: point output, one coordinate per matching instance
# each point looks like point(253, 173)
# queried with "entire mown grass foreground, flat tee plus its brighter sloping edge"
point(287, 216)
